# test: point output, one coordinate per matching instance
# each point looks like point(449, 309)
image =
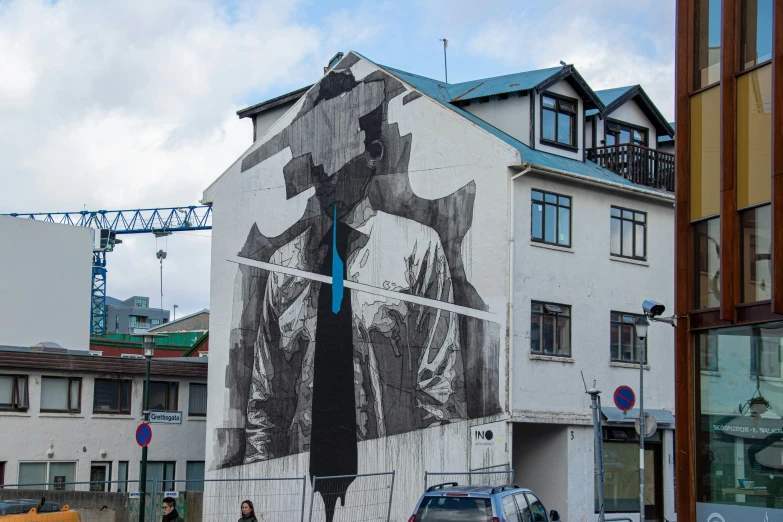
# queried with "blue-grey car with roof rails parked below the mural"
point(451, 502)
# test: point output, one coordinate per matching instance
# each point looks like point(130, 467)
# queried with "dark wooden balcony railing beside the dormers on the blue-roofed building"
point(640, 165)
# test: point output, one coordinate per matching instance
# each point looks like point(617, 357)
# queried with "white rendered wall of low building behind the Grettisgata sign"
point(80, 437)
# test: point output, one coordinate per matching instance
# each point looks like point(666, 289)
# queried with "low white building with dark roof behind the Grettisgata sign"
point(67, 416)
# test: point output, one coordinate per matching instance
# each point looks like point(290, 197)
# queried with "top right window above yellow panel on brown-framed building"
point(755, 32)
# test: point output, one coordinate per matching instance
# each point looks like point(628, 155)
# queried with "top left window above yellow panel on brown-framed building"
point(706, 41)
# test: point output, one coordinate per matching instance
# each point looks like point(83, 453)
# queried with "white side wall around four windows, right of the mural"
point(593, 283)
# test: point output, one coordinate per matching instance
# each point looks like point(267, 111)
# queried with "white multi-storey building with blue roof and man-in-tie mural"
point(479, 266)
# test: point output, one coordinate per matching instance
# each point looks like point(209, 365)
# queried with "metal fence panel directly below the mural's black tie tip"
point(352, 498)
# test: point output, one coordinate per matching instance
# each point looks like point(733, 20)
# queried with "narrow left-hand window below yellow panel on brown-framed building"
point(706, 255)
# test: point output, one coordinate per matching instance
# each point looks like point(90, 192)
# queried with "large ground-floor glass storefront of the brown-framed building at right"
point(739, 448)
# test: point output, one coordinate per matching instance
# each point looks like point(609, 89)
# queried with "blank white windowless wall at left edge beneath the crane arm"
point(45, 281)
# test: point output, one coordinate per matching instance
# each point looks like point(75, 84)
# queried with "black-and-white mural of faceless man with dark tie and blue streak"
point(358, 321)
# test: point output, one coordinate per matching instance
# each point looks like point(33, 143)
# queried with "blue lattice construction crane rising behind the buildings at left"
point(108, 223)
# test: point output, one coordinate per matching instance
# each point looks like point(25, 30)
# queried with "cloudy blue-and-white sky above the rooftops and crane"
point(132, 104)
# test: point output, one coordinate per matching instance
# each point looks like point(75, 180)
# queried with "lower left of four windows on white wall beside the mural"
point(550, 332)
